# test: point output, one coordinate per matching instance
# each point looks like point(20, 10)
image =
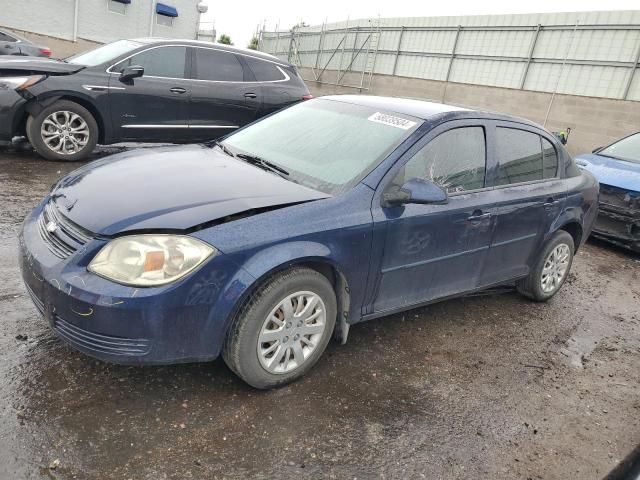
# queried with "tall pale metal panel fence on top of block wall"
point(589, 53)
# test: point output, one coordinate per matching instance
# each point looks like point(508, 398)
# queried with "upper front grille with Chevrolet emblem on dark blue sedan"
point(66, 238)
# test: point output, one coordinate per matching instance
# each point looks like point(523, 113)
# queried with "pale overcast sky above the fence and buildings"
point(239, 19)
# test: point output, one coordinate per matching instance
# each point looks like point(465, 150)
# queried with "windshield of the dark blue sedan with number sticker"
point(324, 144)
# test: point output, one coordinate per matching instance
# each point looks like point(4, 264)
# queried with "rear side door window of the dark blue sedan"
point(524, 157)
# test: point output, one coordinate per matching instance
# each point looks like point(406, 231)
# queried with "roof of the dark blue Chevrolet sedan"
point(423, 109)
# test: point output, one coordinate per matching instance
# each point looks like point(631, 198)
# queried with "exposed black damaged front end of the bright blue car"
point(619, 217)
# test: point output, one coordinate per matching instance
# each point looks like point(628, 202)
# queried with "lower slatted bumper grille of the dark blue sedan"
point(132, 347)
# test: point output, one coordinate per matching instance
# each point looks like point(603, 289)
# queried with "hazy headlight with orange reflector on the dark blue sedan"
point(150, 260)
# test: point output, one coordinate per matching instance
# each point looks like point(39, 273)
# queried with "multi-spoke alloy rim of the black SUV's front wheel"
point(65, 132)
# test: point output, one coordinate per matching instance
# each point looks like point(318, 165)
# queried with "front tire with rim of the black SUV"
point(68, 145)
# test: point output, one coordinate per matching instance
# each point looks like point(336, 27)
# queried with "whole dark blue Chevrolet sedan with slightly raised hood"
point(330, 212)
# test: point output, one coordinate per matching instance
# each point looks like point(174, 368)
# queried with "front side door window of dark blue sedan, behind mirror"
point(455, 160)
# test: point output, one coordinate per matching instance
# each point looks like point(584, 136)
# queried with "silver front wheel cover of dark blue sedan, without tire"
point(291, 332)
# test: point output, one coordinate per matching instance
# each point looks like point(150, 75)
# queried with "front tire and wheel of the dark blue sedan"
point(267, 354)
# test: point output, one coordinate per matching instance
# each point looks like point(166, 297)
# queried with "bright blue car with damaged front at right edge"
point(617, 168)
